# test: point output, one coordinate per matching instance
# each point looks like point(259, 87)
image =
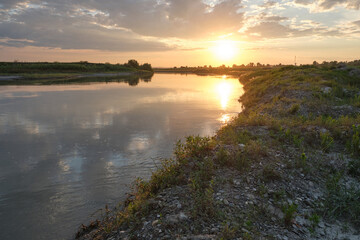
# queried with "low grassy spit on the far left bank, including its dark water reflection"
point(44, 73)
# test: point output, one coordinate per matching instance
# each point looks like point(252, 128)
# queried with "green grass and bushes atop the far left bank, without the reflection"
point(83, 66)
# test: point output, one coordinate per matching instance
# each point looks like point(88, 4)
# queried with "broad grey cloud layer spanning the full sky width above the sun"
point(158, 25)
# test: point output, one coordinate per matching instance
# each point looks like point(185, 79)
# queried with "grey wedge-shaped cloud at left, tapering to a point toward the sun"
point(41, 28)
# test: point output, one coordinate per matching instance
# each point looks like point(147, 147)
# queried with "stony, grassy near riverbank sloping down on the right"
point(285, 168)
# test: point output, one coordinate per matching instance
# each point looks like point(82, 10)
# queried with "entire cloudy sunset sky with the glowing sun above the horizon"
point(169, 33)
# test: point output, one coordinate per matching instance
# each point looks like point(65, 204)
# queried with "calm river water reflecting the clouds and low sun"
point(68, 150)
